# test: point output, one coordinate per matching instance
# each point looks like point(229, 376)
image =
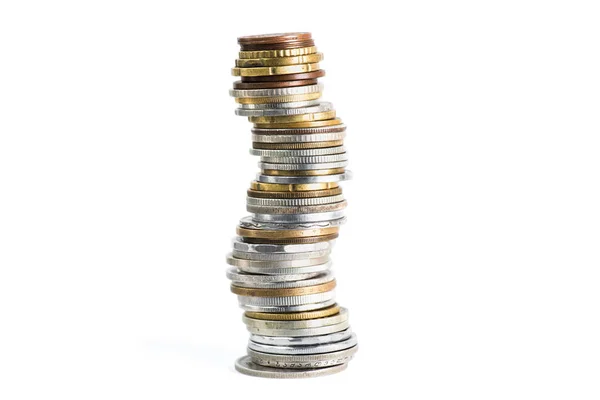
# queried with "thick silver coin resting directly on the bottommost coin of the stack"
point(301, 361)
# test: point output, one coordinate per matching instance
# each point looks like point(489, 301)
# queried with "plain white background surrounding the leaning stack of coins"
point(470, 259)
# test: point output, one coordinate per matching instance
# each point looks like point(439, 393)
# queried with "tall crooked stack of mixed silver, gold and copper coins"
point(280, 267)
